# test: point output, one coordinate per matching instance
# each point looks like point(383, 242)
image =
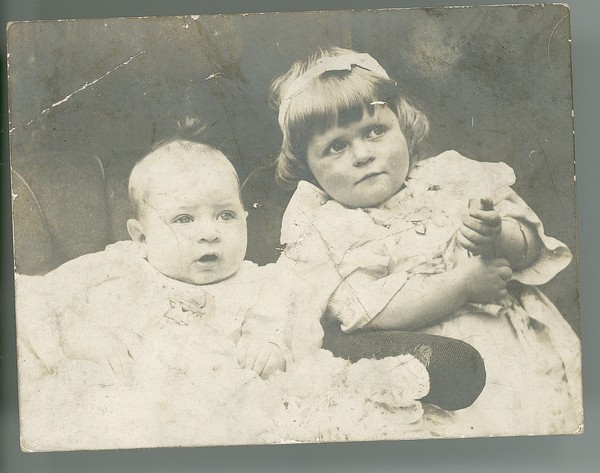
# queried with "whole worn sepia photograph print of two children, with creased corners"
point(310, 227)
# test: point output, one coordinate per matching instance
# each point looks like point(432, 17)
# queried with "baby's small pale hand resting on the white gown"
point(263, 357)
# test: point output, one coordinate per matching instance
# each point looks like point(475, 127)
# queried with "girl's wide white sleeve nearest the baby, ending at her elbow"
point(340, 257)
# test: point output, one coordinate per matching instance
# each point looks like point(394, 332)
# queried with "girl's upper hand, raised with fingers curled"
point(481, 228)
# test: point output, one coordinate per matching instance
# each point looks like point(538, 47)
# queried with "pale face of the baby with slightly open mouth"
point(194, 224)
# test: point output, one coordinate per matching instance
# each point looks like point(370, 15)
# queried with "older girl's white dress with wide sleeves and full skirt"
point(355, 260)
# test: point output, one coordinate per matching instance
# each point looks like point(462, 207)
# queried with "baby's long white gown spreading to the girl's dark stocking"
point(113, 354)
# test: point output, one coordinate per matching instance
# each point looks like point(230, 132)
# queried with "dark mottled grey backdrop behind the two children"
point(494, 82)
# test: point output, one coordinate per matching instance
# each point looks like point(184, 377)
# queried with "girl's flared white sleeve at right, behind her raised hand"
point(554, 255)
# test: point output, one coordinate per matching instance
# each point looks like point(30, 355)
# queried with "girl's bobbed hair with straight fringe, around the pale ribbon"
point(334, 97)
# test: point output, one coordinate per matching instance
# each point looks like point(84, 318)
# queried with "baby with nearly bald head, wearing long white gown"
point(139, 333)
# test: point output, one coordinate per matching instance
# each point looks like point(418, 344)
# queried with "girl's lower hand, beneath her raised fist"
point(485, 279)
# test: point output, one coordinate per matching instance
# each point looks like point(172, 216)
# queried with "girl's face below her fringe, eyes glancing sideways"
point(362, 164)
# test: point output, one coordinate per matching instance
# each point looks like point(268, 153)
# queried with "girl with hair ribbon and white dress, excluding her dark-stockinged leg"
point(444, 245)
